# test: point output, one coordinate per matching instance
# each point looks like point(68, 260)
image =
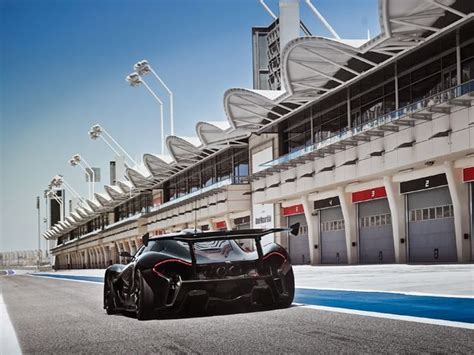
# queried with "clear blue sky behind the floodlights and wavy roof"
point(63, 65)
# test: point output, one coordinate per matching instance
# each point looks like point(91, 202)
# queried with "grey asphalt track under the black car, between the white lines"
point(58, 316)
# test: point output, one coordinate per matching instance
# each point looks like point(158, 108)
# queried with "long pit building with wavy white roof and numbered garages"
point(370, 146)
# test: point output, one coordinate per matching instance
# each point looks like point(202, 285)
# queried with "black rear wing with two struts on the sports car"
point(196, 237)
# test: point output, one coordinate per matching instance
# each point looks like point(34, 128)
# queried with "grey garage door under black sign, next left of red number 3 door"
point(333, 236)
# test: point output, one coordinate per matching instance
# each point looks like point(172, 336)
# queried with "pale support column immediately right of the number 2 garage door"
point(460, 197)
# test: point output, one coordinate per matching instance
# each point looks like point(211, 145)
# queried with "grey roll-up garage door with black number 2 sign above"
point(431, 236)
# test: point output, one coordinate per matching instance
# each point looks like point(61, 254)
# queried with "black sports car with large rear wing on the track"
point(191, 271)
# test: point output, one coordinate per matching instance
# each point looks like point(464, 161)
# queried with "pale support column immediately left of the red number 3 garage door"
point(348, 212)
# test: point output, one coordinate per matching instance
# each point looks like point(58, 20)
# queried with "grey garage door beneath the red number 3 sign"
point(375, 232)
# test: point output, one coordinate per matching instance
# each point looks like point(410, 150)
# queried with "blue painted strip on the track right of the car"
point(444, 308)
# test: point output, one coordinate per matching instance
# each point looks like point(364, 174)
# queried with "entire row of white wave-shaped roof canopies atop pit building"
point(312, 67)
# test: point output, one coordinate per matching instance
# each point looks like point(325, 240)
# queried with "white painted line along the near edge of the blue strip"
point(391, 316)
